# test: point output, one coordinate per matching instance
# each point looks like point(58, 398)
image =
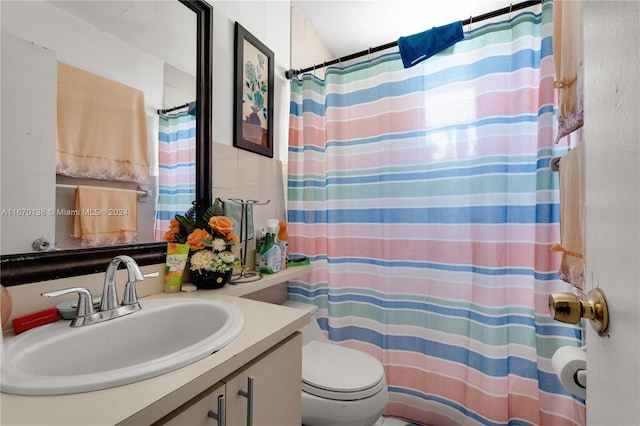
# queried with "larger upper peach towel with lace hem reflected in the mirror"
point(102, 128)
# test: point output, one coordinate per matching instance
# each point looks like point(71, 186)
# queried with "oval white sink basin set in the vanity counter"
point(165, 335)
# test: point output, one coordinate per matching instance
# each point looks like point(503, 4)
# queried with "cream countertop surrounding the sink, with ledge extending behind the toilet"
point(265, 326)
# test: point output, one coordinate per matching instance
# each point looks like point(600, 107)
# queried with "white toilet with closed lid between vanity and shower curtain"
point(340, 386)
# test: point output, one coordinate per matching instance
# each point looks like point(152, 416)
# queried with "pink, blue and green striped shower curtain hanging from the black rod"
point(424, 198)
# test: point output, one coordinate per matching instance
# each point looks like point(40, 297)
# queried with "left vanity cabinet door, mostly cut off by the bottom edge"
point(196, 412)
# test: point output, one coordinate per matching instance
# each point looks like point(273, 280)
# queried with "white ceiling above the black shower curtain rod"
point(349, 26)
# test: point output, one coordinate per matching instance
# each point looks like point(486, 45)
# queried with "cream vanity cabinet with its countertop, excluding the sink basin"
point(269, 348)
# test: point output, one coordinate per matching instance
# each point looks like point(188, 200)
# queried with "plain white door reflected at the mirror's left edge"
point(28, 146)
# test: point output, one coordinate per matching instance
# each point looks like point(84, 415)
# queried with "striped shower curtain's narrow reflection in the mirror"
point(177, 168)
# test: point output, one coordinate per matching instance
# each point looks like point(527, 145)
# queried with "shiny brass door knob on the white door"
point(567, 307)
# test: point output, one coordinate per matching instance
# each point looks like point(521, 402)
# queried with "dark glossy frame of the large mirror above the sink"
point(41, 266)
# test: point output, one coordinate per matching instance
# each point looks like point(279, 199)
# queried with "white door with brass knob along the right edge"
point(612, 132)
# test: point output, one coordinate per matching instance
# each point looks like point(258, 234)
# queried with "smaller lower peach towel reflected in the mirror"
point(105, 216)
